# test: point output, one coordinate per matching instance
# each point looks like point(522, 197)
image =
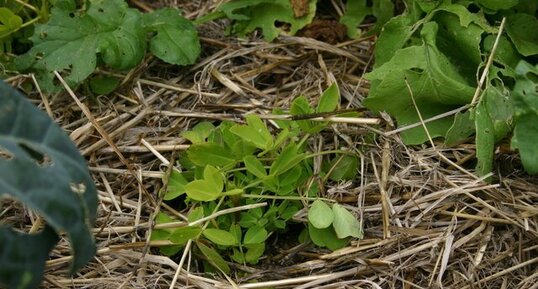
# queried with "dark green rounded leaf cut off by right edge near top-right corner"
point(521, 28)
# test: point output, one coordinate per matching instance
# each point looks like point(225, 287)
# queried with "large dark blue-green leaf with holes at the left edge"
point(42, 168)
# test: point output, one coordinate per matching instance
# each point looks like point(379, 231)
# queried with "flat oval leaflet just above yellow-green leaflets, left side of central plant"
point(209, 154)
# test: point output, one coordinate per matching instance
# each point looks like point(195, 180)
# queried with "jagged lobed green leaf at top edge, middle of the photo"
point(252, 14)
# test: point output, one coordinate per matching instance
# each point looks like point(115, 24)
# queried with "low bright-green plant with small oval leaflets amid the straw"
point(240, 164)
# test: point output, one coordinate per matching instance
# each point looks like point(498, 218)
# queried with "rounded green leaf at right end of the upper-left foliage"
point(176, 41)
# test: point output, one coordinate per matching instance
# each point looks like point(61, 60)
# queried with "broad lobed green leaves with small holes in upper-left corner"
point(104, 33)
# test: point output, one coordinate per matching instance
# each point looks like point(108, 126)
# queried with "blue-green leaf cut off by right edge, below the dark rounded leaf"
point(525, 96)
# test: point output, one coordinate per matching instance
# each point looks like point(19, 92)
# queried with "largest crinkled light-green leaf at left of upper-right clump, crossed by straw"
point(435, 85)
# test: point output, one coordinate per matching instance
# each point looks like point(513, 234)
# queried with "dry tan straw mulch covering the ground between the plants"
point(429, 222)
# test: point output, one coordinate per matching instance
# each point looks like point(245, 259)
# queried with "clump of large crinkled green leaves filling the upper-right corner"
point(432, 56)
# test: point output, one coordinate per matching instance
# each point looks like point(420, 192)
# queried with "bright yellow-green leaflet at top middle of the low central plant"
point(255, 132)
